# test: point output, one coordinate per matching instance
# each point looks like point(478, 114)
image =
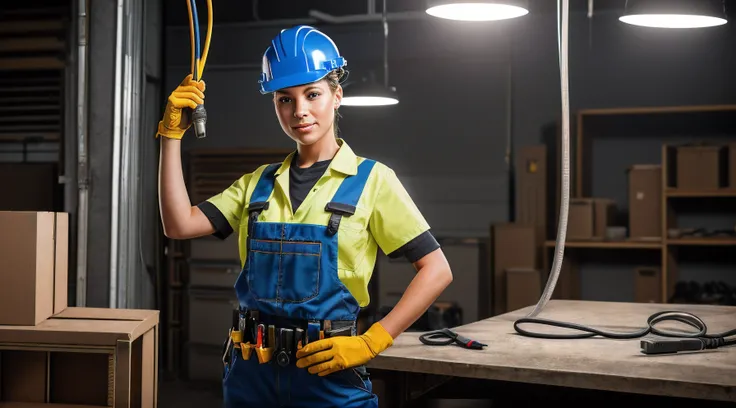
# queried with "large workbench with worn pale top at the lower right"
point(410, 370)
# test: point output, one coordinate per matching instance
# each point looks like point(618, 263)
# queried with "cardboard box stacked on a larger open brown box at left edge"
point(55, 356)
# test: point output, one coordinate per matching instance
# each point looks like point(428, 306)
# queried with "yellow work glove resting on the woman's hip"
point(327, 356)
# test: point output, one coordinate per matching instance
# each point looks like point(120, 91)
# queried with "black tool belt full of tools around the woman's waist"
point(277, 338)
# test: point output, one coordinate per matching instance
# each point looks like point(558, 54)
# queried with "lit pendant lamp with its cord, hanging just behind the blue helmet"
point(370, 92)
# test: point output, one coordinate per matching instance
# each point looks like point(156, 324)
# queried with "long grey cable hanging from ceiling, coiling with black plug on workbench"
point(699, 340)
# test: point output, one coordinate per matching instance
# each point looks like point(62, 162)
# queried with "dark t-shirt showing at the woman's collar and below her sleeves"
point(301, 180)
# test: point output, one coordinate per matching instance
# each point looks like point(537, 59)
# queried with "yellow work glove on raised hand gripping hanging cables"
point(176, 120)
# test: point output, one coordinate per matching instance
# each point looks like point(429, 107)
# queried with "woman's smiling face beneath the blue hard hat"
point(307, 112)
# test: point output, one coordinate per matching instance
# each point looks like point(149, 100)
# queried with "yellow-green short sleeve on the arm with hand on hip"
point(395, 219)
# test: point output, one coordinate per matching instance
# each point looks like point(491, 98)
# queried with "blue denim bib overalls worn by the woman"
point(291, 271)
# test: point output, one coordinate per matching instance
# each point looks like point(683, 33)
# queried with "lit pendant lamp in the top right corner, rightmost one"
point(675, 13)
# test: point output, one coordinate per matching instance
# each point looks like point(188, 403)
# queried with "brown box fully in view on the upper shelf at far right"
point(701, 167)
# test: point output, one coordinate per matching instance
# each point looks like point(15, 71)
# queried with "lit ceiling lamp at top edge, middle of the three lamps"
point(477, 10)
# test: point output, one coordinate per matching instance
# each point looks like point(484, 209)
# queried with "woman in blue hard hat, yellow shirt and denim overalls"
point(309, 230)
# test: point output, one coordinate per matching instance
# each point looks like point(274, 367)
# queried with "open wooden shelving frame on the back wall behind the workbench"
point(668, 246)
